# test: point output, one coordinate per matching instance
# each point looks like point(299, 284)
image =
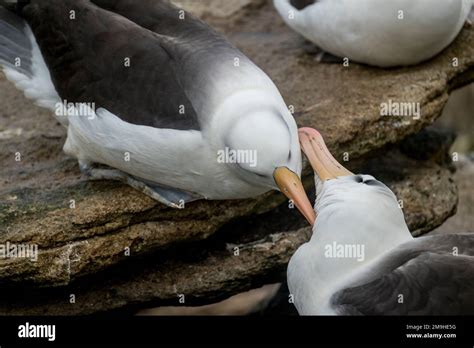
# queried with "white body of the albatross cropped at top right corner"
point(381, 33)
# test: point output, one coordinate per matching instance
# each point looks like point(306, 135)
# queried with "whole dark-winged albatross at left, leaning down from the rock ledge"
point(172, 107)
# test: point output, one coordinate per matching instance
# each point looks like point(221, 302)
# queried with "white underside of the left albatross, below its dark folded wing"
point(174, 158)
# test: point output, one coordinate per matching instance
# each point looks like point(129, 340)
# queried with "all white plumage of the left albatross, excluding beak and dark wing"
point(244, 102)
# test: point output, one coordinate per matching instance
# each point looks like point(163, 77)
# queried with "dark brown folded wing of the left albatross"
point(97, 56)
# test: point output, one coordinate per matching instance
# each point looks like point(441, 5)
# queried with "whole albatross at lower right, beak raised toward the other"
point(362, 259)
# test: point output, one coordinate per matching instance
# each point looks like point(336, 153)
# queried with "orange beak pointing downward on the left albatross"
point(290, 185)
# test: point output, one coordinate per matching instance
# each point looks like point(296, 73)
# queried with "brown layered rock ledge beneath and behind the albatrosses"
point(113, 248)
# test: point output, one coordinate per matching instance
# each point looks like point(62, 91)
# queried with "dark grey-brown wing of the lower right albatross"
point(429, 276)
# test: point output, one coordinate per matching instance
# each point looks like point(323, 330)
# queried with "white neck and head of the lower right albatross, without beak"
point(351, 232)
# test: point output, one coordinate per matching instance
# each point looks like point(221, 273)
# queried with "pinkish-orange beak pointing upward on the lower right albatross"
point(323, 163)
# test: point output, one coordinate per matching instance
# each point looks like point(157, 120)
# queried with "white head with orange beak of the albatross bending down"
point(270, 155)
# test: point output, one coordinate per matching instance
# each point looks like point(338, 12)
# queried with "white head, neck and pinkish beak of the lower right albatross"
point(358, 219)
